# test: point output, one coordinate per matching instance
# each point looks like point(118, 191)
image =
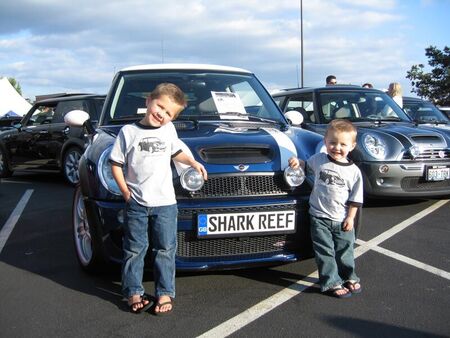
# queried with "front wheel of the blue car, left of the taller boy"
point(88, 247)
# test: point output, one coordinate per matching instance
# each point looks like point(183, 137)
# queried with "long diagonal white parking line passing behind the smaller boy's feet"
point(251, 314)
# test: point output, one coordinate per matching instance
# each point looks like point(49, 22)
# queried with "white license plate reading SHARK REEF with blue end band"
point(234, 224)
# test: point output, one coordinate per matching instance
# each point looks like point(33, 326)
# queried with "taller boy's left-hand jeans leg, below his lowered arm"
point(135, 245)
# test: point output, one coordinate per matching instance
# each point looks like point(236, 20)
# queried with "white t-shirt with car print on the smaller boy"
point(336, 185)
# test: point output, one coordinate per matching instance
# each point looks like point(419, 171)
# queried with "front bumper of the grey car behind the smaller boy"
point(402, 179)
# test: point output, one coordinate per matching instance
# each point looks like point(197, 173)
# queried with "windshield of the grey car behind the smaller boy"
point(360, 106)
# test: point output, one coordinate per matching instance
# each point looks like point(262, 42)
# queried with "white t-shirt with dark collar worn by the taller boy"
point(145, 153)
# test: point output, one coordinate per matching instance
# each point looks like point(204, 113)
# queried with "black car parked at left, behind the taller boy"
point(42, 141)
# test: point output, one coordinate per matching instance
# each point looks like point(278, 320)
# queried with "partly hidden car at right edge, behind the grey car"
point(425, 113)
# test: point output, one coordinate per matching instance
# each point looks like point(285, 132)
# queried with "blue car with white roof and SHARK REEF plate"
point(252, 210)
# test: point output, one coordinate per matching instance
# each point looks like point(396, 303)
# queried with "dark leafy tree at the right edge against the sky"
point(435, 85)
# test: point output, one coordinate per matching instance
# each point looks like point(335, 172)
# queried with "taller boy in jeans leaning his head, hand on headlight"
point(146, 185)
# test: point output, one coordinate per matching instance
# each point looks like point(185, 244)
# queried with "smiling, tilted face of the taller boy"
point(161, 110)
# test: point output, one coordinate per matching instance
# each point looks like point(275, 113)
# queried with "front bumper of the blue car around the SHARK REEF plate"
point(106, 219)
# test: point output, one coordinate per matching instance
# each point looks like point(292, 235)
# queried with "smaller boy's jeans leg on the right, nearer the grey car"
point(345, 259)
